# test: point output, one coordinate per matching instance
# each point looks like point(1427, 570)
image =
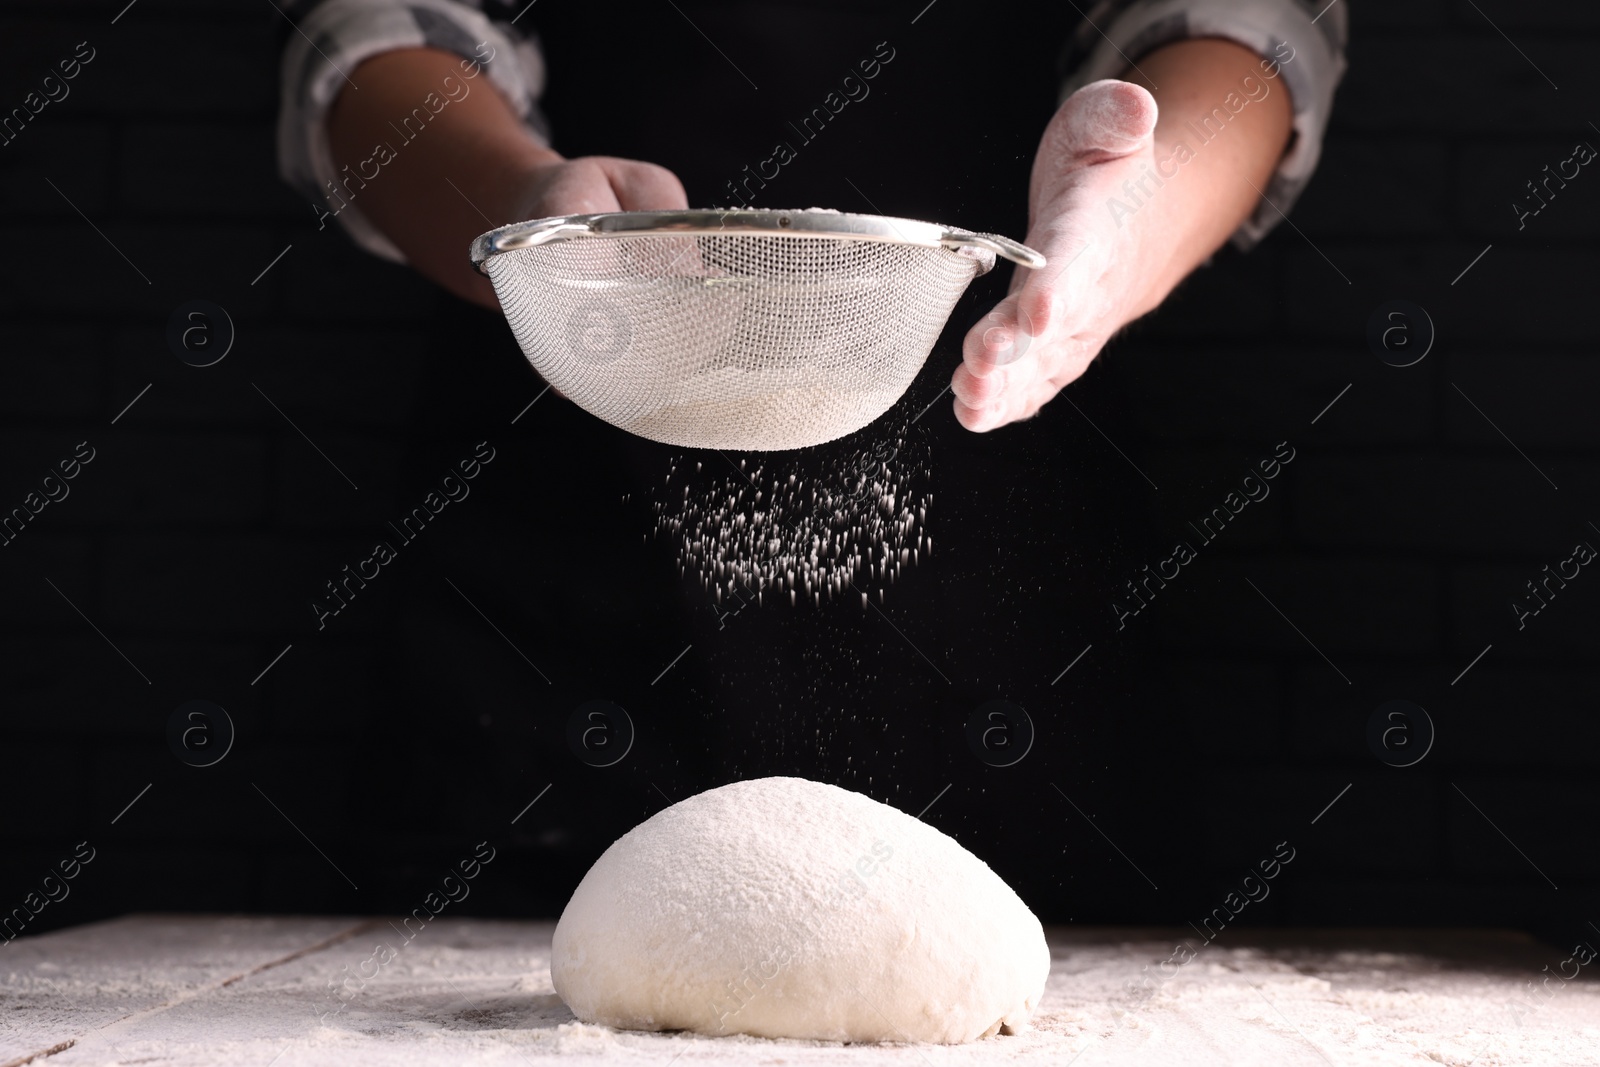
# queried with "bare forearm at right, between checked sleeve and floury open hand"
point(1210, 159)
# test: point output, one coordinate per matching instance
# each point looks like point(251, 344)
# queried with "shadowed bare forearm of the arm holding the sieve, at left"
point(473, 142)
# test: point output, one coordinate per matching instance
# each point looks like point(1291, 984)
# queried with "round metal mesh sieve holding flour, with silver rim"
point(734, 329)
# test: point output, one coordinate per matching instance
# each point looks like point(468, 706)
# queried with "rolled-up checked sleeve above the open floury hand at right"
point(1305, 38)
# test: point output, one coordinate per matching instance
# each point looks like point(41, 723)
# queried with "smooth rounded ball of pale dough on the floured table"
point(785, 908)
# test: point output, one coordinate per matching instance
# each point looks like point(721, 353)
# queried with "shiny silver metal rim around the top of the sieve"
point(812, 223)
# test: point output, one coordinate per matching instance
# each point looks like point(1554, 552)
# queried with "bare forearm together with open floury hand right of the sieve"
point(1111, 265)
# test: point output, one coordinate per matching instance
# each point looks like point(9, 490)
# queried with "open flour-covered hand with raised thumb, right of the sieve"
point(1100, 266)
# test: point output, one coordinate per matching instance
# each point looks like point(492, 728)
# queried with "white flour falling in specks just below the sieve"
point(758, 529)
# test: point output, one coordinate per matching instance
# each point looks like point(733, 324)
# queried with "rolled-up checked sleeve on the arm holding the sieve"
point(334, 38)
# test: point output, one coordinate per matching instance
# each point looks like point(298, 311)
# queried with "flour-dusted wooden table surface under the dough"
point(223, 991)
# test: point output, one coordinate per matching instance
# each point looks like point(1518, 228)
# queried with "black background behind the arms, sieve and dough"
point(378, 751)
